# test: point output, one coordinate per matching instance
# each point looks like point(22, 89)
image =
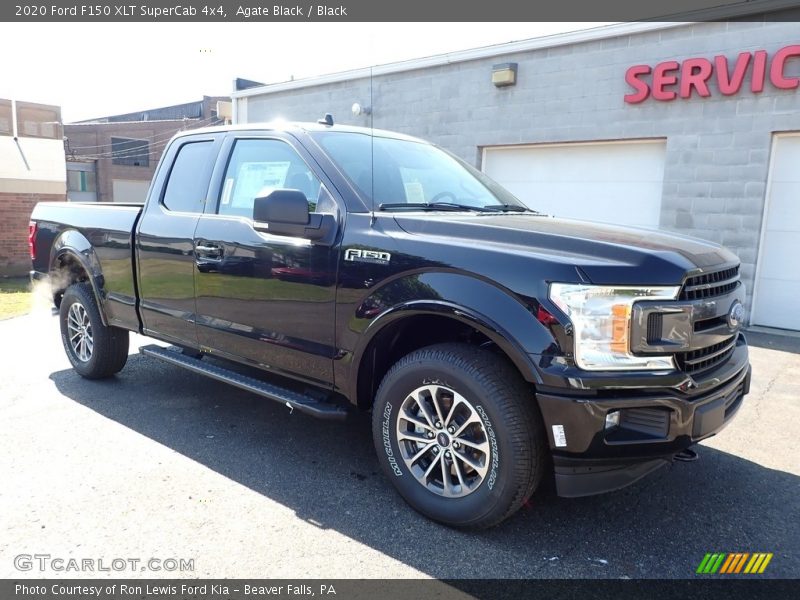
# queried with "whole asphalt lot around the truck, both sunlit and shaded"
point(161, 463)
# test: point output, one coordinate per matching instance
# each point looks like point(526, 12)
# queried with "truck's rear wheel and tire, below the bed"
point(109, 345)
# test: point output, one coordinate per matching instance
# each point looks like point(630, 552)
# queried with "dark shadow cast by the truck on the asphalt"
point(328, 475)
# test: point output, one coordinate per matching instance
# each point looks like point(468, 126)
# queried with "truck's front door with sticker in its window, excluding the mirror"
point(261, 298)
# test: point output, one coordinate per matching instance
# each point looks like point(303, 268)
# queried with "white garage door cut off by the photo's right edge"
point(778, 276)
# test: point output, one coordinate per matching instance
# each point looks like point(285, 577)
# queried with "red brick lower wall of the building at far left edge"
point(15, 213)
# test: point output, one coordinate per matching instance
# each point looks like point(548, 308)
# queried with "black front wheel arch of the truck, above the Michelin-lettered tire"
point(442, 301)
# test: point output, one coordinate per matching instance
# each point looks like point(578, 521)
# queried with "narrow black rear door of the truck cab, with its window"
point(165, 239)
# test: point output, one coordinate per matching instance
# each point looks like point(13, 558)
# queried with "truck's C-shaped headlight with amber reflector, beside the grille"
point(601, 318)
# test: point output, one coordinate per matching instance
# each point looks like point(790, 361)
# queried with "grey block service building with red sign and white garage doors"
point(689, 127)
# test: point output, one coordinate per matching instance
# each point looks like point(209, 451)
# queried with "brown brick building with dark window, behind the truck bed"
point(114, 158)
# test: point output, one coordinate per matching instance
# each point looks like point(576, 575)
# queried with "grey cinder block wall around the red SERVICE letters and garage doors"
point(717, 148)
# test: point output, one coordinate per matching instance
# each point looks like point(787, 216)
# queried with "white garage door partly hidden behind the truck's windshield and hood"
point(614, 182)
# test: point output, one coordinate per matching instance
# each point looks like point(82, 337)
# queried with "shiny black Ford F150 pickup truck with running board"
point(333, 268)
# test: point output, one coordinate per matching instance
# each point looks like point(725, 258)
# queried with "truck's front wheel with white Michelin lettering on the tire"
point(504, 416)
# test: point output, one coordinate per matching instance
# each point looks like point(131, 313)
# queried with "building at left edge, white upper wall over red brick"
point(32, 169)
